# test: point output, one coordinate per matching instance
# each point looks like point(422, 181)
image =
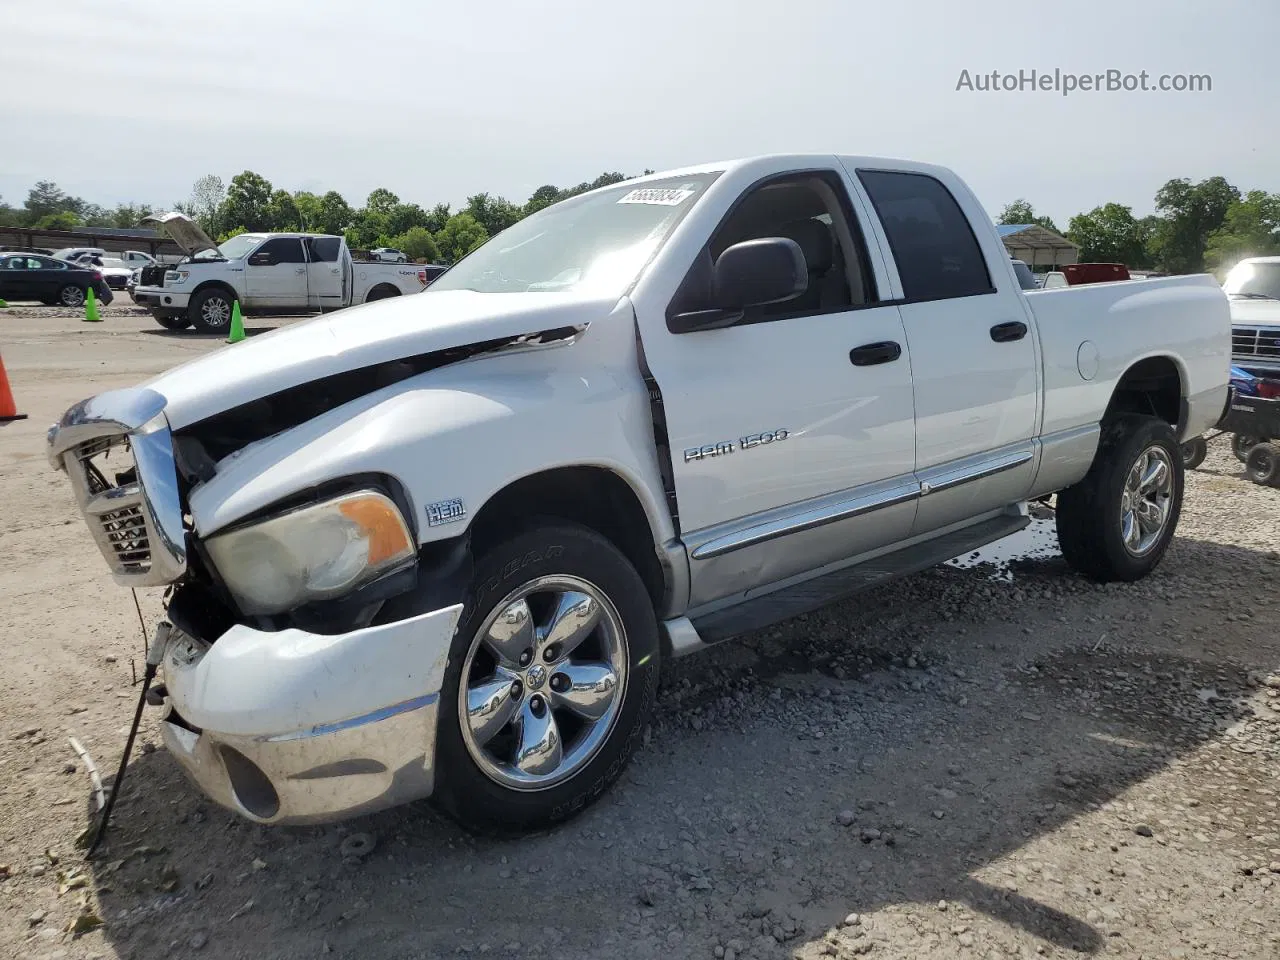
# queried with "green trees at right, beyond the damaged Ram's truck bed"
point(1197, 228)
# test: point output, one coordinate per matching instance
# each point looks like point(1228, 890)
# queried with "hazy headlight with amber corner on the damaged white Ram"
point(313, 554)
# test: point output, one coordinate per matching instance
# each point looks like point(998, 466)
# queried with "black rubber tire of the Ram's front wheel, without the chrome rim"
point(551, 548)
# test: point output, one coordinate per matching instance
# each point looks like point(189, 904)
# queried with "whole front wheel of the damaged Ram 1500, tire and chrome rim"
point(551, 678)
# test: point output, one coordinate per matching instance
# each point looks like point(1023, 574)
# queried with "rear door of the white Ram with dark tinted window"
point(975, 358)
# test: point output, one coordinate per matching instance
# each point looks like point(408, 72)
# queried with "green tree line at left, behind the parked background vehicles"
point(252, 203)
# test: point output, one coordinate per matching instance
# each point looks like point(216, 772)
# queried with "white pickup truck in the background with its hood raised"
point(268, 273)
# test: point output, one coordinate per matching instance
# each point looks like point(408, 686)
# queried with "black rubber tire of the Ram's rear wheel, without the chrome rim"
point(1091, 516)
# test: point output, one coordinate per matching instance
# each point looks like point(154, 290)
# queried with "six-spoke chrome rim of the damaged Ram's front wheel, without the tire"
point(543, 683)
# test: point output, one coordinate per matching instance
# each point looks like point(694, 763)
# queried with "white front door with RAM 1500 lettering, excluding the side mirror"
point(793, 432)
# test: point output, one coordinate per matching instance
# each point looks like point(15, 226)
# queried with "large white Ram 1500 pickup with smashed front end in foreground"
point(440, 546)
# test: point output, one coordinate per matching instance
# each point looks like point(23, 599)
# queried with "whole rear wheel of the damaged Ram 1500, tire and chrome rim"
point(1118, 523)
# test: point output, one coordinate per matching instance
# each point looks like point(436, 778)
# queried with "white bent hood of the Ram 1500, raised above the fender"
point(358, 337)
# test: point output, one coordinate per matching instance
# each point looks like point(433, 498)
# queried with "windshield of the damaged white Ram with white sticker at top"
point(596, 244)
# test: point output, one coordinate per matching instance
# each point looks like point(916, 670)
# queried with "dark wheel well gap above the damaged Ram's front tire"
point(595, 497)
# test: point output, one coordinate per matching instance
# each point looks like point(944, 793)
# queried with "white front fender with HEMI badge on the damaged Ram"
point(464, 433)
